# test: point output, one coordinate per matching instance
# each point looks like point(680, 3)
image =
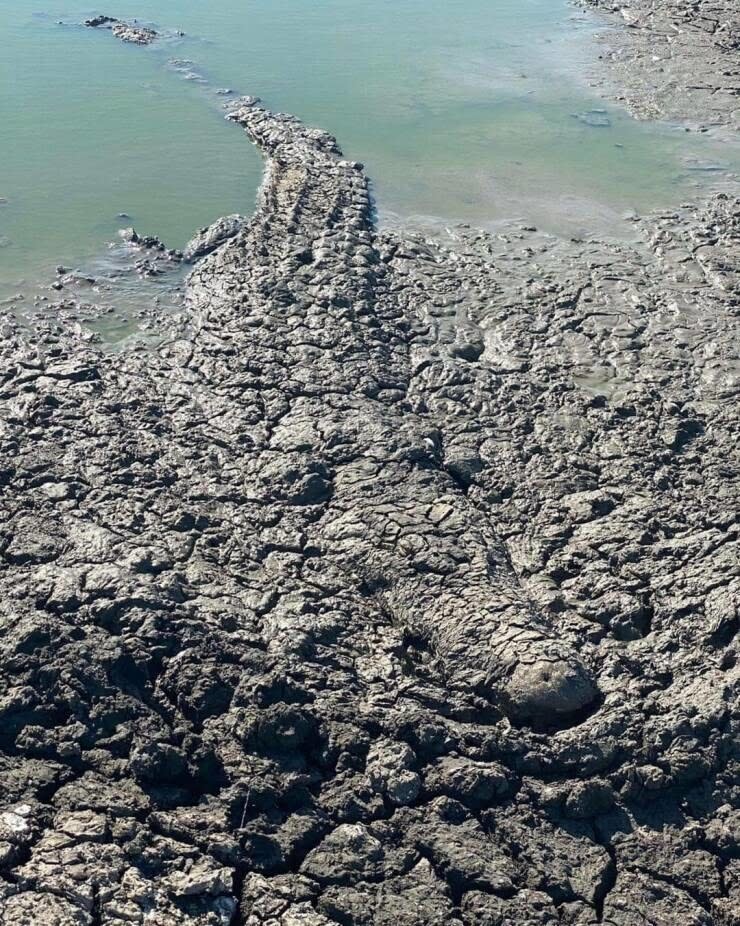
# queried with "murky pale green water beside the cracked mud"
point(461, 111)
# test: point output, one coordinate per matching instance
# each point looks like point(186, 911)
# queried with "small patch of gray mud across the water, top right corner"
point(676, 59)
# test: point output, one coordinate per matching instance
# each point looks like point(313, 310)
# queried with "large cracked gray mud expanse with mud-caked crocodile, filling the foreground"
point(396, 588)
